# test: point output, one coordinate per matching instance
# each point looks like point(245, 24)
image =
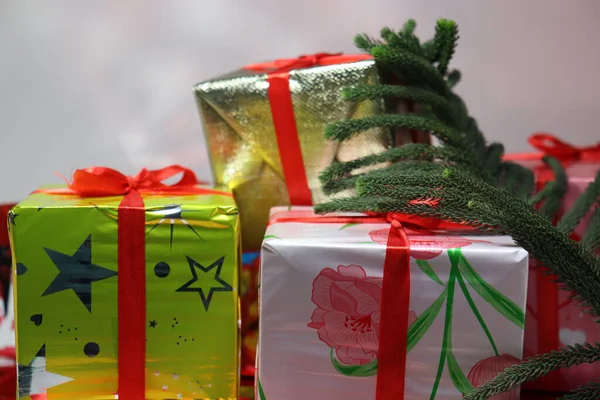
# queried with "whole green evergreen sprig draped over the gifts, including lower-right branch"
point(466, 181)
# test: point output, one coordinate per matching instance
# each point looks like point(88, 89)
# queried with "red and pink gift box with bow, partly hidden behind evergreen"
point(554, 318)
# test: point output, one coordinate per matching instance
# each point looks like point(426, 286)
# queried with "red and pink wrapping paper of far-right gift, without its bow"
point(554, 319)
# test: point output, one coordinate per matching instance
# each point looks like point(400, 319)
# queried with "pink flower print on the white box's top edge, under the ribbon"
point(425, 245)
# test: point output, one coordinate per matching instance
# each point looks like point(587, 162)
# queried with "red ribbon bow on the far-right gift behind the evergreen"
point(550, 145)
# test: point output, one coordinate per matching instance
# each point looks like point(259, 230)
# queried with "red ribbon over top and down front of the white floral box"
point(395, 299)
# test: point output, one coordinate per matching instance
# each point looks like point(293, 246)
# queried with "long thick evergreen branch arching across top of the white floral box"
point(469, 200)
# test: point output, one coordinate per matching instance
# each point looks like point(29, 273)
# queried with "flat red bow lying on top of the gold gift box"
point(306, 61)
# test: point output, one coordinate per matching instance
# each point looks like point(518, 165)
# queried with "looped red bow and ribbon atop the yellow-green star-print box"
point(103, 181)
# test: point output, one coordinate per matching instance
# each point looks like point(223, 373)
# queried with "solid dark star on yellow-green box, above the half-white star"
point(77, 272)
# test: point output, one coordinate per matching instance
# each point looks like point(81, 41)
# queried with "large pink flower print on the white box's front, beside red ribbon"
point(348, 311)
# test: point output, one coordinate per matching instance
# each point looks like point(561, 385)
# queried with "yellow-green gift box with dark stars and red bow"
point(127, 286)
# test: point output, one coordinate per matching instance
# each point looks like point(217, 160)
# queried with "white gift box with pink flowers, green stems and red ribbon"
point(390, 307)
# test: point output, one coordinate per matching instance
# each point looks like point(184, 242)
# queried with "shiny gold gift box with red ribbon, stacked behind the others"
point(264, 129)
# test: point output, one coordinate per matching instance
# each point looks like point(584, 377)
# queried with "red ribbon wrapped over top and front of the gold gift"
point(284, 120)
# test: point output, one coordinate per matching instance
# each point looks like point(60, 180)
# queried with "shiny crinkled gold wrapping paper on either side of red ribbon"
point(243, 148)
